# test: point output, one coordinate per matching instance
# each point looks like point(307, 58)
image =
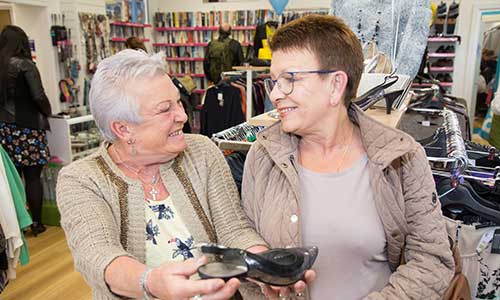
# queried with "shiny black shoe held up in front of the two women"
point(279, 267)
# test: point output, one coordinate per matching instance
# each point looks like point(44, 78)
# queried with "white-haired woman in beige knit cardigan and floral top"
point(134, 210)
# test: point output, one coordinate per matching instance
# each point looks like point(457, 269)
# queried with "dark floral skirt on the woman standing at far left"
point(25, 146)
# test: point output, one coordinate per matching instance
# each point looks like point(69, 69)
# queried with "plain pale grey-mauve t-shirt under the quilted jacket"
point(339, 216)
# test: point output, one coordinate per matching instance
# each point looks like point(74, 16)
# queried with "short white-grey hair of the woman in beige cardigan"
point(109, 100)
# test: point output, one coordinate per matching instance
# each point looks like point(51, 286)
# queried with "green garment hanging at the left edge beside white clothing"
point(19, 196)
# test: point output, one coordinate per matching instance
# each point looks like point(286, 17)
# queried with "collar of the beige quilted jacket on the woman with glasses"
point(383, 144)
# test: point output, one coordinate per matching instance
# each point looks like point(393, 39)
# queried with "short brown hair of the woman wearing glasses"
point(331, 40)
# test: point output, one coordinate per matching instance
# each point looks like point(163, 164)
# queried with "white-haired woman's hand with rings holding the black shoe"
point(170, 281)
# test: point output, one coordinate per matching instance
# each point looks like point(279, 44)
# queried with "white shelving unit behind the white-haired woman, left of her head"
point(70, 140)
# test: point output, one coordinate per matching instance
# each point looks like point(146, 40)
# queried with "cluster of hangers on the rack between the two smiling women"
point(237, 138)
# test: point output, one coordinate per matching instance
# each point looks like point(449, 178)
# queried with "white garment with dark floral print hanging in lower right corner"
point(481, 269)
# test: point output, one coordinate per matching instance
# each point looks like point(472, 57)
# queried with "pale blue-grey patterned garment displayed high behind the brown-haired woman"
point(400, 28)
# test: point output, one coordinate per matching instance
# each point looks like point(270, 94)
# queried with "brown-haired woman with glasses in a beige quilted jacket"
point(329, 175)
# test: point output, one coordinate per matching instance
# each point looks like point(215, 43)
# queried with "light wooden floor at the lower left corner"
point(50, 274)
